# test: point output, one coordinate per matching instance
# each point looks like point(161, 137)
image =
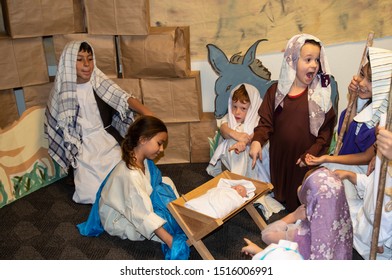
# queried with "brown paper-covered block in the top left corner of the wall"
point(32, 18)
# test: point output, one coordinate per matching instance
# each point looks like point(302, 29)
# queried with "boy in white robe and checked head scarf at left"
point(86, 116)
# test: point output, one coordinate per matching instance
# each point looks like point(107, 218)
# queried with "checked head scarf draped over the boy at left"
point(62, 113)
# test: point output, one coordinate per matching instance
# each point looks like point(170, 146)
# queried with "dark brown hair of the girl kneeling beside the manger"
point(145, 127)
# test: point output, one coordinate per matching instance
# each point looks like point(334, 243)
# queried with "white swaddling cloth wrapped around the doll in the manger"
point(221, 200)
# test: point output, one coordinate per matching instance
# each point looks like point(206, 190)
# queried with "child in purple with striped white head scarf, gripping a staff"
point(359, 150)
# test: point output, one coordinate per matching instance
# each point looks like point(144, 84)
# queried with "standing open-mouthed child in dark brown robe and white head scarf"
point(296, 116)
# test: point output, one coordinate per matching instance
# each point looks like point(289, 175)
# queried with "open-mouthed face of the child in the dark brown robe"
point(308, 65)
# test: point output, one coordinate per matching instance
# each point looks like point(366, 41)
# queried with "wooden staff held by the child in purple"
point(352, 99)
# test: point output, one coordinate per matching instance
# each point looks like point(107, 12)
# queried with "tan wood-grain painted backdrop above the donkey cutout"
point(234, 25)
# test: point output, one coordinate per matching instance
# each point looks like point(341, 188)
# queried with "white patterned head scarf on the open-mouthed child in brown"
point(319, 91)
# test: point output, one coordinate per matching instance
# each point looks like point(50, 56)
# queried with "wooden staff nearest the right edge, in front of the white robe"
point(381, 186)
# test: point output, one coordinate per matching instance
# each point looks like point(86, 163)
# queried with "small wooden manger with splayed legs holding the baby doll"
point(197, 225)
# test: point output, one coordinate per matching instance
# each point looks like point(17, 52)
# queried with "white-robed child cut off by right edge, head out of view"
point(363, 210)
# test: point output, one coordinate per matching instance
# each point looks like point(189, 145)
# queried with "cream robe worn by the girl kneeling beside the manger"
point(125, 207)
